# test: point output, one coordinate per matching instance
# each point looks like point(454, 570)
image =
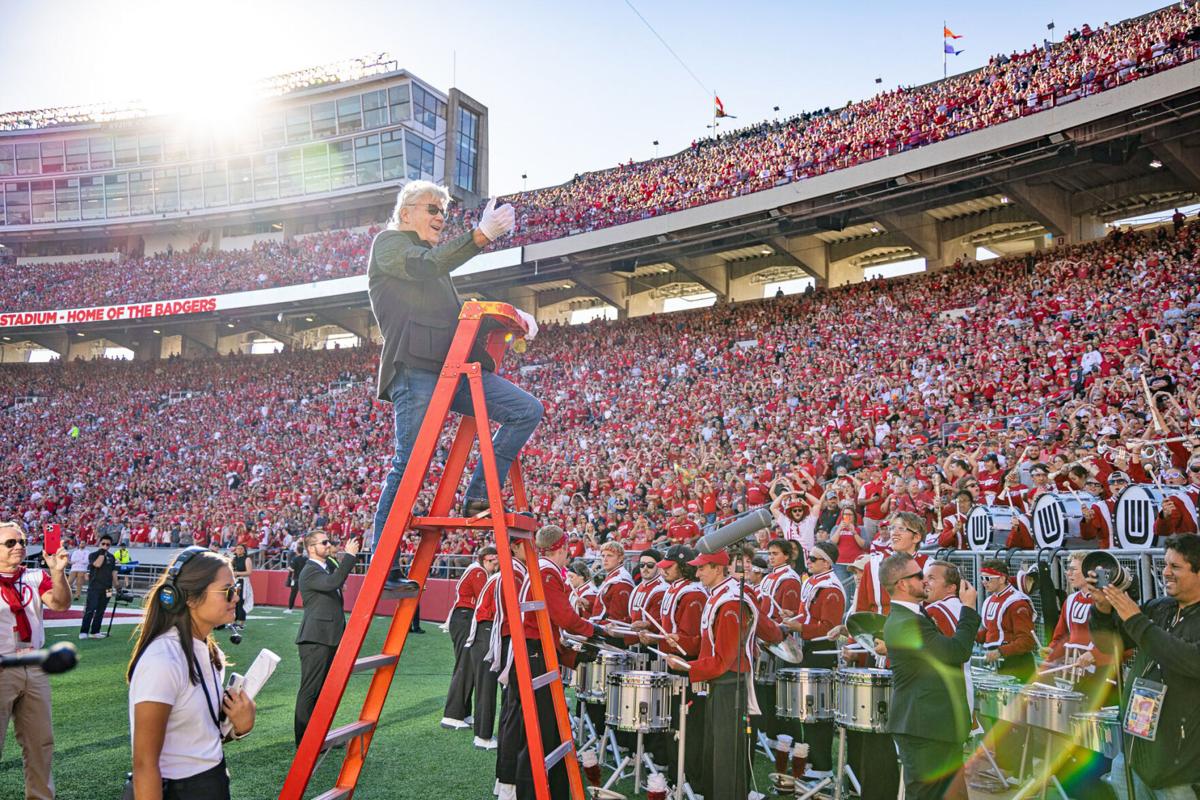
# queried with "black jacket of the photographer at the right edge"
point(1169, 655)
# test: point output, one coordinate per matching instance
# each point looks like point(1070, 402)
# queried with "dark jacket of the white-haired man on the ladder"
point(415, 302)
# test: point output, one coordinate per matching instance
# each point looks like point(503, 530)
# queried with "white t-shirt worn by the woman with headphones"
point(193, 744)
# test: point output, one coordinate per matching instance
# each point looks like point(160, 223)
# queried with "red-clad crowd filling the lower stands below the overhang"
point(655, 426)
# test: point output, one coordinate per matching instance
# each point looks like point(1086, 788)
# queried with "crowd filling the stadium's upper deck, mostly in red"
point(746, 161)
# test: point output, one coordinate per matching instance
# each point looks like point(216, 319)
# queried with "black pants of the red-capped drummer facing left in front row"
point(727, 744)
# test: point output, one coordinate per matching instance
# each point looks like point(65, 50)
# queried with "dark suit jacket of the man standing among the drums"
point(929, 695)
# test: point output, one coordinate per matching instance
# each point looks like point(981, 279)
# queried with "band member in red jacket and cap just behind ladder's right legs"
point(551, 544)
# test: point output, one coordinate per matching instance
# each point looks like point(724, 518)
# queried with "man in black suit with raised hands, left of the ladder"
point(325, 621)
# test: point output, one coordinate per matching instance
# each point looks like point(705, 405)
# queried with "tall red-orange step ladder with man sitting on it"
point(501, 324)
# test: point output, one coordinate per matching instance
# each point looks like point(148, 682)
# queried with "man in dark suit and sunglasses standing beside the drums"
point(927, 675)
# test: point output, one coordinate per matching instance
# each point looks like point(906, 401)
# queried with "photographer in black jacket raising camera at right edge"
point(1167, 634)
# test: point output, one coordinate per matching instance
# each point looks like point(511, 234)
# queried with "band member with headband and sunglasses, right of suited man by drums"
point(1007, 631)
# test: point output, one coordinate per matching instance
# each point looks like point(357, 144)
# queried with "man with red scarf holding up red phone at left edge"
point(26, 691)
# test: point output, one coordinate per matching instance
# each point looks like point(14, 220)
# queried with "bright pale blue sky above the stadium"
point(571, 86)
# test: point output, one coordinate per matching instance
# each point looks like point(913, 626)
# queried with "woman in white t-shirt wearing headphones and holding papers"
point(177, 673)
